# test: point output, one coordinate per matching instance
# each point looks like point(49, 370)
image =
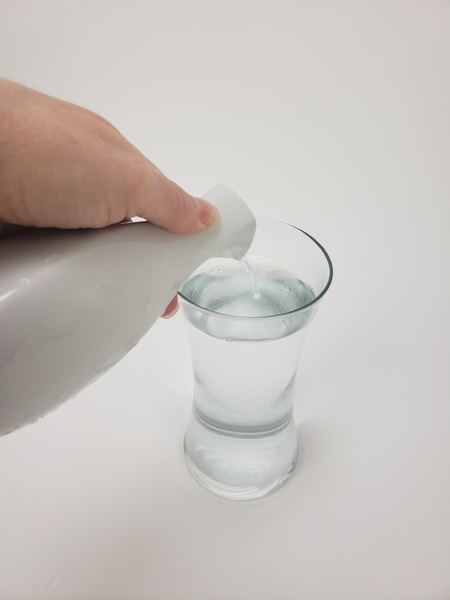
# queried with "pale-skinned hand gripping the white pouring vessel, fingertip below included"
point(64, 166)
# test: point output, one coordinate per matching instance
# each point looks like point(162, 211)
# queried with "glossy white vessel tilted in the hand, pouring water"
point(74, 302)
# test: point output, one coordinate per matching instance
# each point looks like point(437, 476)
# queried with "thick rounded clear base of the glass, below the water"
point(238, 466)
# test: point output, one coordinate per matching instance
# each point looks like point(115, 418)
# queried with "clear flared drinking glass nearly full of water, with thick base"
point(247, 321)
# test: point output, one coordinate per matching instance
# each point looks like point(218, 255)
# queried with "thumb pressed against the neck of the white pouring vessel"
point(166, 204)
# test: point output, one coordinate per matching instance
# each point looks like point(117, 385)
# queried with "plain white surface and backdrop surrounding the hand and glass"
point(332, 116)
